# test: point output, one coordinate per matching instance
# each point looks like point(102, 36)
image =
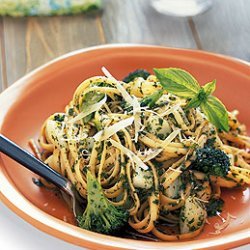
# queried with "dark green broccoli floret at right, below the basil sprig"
point(211, 161)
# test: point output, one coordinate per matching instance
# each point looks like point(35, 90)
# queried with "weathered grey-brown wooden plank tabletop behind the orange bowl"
point(27, 42)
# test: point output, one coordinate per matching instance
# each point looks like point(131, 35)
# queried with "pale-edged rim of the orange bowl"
point(11, 197)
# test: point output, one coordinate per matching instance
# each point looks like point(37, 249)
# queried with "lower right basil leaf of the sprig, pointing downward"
point(216, 112)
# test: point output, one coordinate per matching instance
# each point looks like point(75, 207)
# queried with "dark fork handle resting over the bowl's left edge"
point(26, 159)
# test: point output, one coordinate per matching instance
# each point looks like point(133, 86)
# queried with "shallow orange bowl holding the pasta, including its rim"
point(29, 101)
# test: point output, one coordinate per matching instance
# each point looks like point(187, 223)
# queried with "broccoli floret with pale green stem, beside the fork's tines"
point(101, 215)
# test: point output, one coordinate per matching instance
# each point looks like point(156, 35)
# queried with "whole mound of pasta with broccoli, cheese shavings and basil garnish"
point(150, 153)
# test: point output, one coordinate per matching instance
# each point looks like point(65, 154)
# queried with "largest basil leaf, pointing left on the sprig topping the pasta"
point(178, 82)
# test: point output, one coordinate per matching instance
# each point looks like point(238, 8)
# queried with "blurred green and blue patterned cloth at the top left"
point(46, 7)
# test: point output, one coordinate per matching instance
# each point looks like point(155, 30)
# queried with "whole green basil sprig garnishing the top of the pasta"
point(181, 83)
